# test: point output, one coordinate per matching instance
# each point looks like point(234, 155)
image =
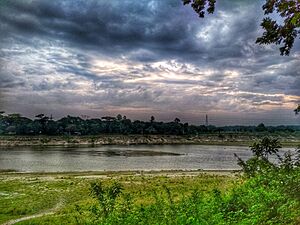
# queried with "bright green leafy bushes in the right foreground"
point(269, 193)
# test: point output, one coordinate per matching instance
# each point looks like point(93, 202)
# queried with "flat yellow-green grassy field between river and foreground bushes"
point(29, 194)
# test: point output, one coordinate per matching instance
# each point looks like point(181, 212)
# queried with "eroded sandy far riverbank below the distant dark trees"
point(237, 139)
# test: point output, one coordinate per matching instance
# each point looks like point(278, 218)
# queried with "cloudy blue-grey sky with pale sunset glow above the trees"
point(143, 58)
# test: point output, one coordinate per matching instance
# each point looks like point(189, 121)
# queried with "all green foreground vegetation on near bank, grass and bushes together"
point(266, 193)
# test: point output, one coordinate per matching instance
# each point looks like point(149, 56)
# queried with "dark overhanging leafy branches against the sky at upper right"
point(274, 33)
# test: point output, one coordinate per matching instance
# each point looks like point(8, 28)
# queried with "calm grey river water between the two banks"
point(122, 158)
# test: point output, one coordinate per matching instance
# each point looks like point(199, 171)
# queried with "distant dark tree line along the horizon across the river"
point(15, 124)
